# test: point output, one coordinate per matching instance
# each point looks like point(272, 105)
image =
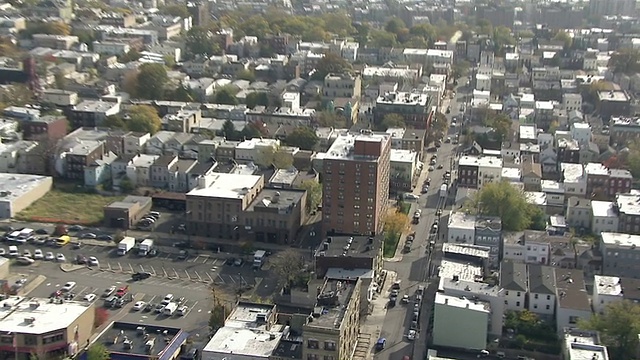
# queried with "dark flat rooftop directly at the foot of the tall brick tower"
point(354, 246)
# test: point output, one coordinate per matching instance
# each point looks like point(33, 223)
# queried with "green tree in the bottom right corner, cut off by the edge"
point(618, 327)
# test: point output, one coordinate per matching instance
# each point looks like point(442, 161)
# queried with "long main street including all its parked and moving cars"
point(416, 267)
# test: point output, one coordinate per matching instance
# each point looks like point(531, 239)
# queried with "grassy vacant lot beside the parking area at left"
point(69, 207)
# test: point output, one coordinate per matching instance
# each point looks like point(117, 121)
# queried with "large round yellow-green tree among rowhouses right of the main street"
point(503, 200)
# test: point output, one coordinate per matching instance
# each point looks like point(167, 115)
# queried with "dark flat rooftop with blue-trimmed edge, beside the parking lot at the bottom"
point(142, 339)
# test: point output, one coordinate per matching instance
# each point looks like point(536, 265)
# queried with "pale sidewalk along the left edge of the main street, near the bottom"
point(371, 326)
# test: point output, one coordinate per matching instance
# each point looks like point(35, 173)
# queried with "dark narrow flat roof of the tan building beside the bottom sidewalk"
point(332, 303)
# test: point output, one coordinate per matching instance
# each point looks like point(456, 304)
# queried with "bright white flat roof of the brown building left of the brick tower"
point(227, 186)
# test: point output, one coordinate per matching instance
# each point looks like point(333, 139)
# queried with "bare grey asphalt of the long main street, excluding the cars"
point(414, 268)
